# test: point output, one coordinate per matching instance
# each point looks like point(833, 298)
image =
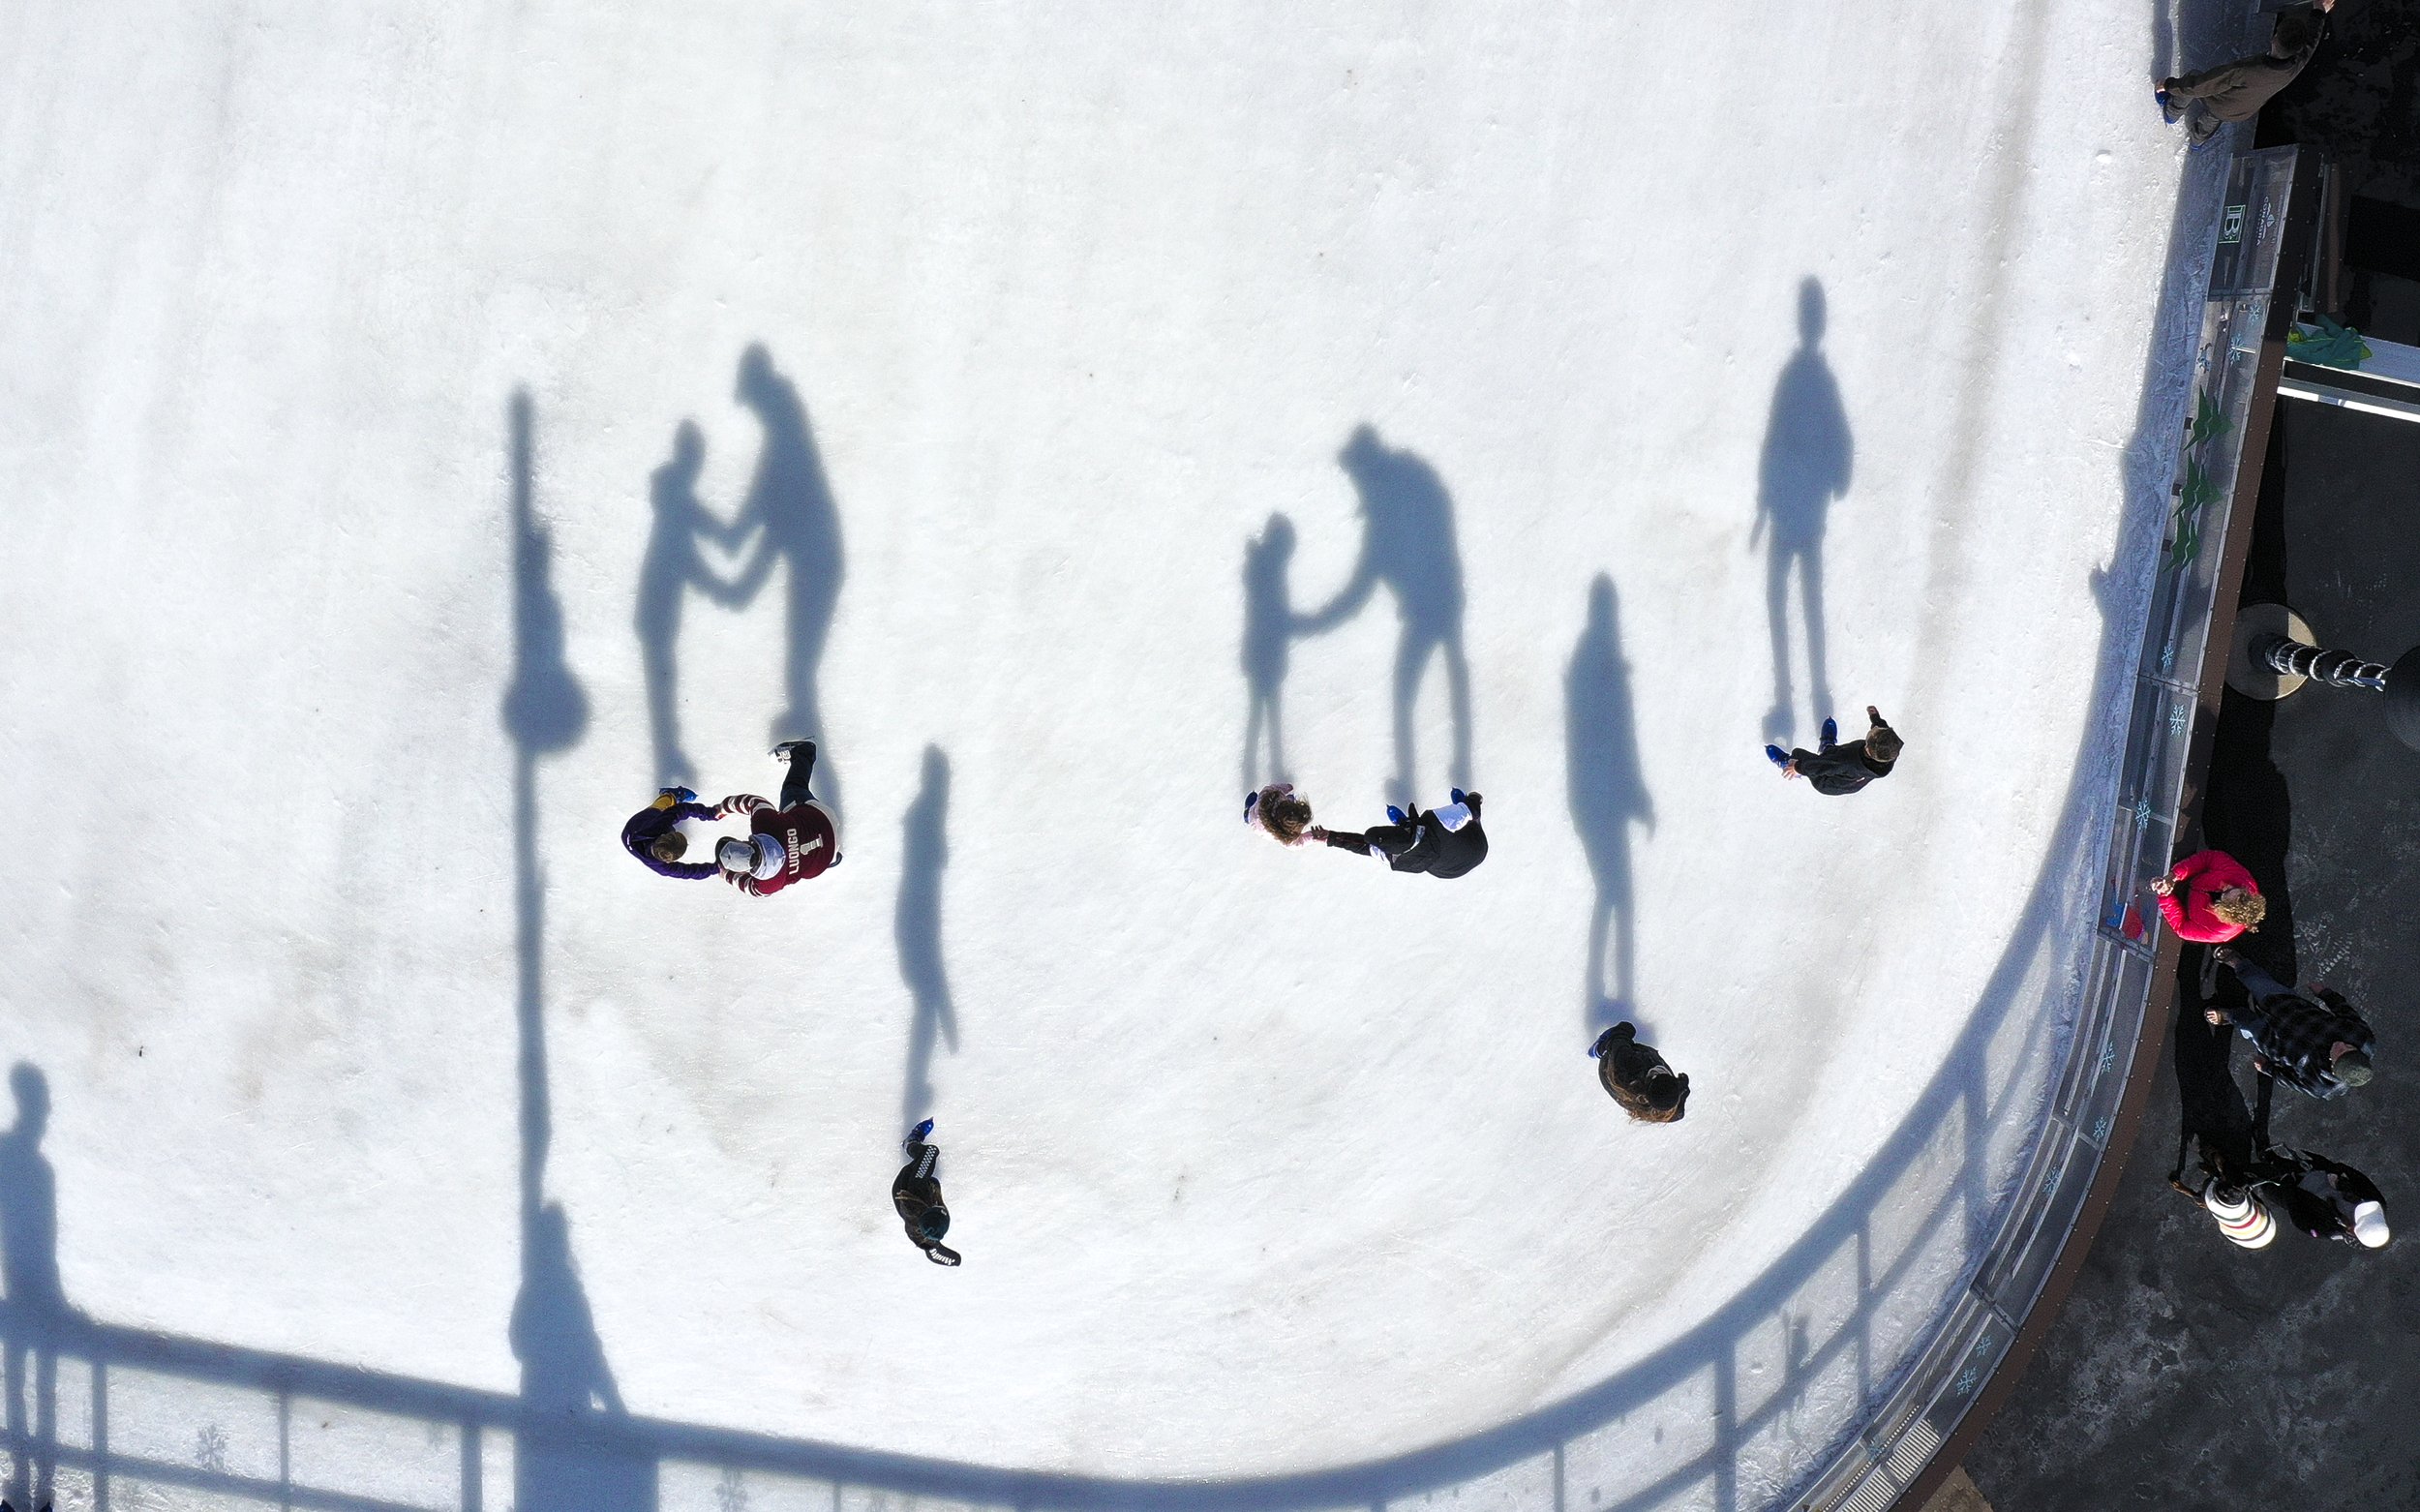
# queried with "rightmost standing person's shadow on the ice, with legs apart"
point(1804, 468)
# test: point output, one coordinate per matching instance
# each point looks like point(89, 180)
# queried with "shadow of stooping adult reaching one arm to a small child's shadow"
point(1410, 548)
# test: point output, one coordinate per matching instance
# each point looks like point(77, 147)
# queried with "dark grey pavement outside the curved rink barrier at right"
point(2184, 1373)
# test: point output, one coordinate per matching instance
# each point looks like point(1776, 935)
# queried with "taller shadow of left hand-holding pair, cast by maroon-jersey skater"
point(793, 509)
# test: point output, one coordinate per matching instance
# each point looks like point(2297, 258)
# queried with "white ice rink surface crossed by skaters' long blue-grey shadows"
point(359, 584)
